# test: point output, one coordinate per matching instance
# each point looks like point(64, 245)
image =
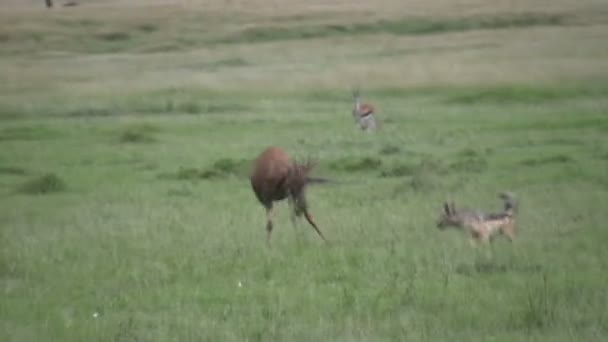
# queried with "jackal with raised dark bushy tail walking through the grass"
point(482, 226)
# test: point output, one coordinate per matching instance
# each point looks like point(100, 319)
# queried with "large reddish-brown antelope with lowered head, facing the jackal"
point(275, 177)
